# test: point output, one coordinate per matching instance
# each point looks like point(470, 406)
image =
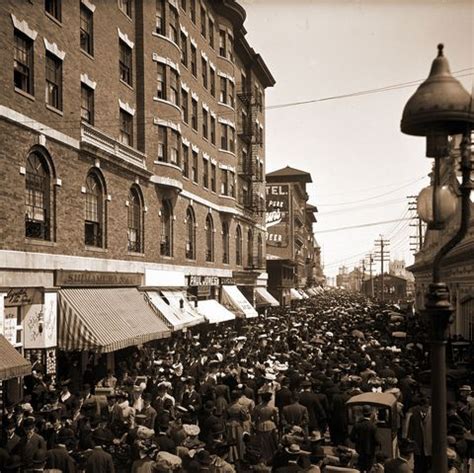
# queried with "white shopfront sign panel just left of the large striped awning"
point(40, 323)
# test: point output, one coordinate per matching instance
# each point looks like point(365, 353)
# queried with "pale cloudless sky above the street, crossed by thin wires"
point(362, 166)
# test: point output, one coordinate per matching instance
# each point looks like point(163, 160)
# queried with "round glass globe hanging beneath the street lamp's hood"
point(447, 203)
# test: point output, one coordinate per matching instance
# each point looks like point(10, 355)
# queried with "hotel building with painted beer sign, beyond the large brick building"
point(290, 237)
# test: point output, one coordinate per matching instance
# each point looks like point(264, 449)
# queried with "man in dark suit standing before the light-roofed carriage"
point(364, 436)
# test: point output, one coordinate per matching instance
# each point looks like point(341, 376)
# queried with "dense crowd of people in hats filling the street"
point(265, 394)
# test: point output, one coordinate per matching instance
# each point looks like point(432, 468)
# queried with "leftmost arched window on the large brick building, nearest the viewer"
point(38, 198)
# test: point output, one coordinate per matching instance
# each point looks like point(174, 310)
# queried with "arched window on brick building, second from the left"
point(94, 216)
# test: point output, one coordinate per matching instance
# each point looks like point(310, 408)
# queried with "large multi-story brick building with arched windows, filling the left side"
point(132, 150)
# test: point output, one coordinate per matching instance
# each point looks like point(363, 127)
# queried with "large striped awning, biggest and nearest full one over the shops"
point(106, 319)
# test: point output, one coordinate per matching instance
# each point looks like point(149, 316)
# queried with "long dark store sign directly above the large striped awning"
point(86, 278)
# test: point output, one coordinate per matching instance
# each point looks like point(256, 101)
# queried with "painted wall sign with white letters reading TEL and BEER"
point(277, 215)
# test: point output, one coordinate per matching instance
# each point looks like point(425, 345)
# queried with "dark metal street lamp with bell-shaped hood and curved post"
point(441, 108)
